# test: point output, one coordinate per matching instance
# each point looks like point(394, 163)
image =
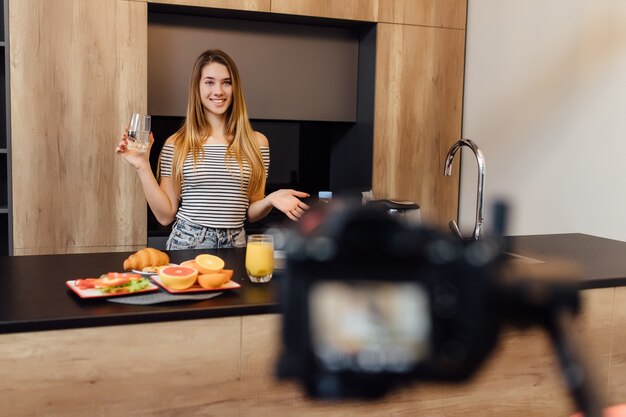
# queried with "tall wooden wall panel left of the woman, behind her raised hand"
point(78, 69)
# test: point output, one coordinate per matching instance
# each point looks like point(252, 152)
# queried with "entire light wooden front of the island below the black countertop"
point(226, 367)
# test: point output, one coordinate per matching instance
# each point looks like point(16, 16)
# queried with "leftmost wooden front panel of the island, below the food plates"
point(184, 368)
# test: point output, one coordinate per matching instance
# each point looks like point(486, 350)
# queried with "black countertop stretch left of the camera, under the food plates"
point(34, 295)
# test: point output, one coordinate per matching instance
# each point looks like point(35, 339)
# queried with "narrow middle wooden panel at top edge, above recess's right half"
point(366, 10)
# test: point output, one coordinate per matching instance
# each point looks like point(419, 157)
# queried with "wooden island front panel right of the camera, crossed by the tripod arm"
point(523, 377)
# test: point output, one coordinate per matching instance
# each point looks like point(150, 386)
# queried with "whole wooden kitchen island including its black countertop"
point(64, 356)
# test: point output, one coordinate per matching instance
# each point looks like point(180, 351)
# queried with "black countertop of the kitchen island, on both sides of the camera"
point(34, 296)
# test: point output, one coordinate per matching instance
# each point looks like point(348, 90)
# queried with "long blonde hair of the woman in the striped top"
point(244, 147)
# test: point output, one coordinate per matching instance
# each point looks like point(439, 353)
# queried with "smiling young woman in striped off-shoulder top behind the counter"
point(213, 170)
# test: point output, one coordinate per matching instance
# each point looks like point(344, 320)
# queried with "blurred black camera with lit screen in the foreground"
point(371, 303)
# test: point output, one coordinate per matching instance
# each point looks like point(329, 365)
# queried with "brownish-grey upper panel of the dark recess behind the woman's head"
point(288, 71)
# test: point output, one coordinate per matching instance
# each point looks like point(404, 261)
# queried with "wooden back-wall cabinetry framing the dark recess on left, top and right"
point(80, 68)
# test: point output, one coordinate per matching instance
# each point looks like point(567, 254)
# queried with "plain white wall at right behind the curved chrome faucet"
point(545, 99)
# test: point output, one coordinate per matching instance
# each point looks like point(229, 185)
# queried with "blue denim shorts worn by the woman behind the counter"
point(188, 235)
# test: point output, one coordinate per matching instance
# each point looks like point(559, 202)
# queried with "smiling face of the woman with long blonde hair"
point(216, 88)
